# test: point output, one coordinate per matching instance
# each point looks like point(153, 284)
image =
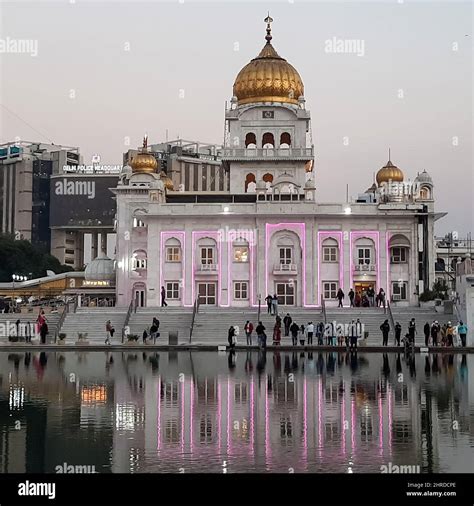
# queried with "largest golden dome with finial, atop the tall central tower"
point(268, 78)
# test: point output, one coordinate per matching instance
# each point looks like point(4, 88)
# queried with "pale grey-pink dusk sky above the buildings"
point(105, 73)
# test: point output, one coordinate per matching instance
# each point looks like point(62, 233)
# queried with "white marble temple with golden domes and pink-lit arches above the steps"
point(265, 230)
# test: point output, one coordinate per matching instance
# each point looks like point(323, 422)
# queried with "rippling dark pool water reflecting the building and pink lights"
point(235, 412)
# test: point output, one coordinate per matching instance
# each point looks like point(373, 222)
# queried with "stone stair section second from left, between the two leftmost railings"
point(92, 321)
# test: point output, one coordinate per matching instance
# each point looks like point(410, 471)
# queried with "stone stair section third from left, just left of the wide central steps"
point(171, 319)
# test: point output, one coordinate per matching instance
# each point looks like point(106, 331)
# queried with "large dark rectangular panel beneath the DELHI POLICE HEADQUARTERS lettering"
point(77, 200)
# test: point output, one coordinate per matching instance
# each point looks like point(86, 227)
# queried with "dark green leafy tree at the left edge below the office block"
point(22, 258)
